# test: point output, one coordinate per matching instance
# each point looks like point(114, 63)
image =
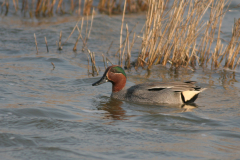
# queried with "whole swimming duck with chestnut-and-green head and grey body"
point(151, 92)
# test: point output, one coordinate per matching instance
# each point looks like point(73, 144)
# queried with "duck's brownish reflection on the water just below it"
point(115, 109)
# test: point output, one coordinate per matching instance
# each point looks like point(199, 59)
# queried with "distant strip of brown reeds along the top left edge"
point(80, 7)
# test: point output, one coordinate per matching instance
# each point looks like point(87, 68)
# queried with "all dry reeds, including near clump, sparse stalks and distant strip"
point(174, 32)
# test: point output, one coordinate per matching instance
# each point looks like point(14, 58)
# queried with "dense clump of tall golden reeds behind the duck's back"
point(178, 35)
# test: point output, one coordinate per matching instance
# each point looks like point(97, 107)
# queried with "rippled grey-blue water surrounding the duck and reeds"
point(48, 113)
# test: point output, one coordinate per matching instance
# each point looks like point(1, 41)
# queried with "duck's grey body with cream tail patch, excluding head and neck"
point(160, 92)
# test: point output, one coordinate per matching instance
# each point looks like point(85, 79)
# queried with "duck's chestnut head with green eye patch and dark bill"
point(116, 75)
